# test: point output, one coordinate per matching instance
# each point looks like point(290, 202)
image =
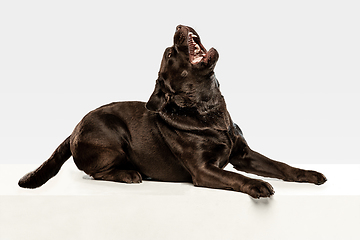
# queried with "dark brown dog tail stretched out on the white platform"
point(49, 168)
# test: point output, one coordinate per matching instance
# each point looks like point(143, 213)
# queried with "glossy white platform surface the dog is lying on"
point(72, 206)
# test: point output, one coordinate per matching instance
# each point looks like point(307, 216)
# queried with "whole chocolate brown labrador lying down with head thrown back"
point(184, 133)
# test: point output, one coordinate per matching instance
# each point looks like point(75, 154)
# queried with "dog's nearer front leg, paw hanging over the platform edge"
point(213, 177)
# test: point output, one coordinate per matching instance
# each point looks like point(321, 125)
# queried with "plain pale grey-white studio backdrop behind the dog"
point(289, 70)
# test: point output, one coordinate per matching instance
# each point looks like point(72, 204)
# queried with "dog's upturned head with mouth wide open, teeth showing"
point(186, 77)
